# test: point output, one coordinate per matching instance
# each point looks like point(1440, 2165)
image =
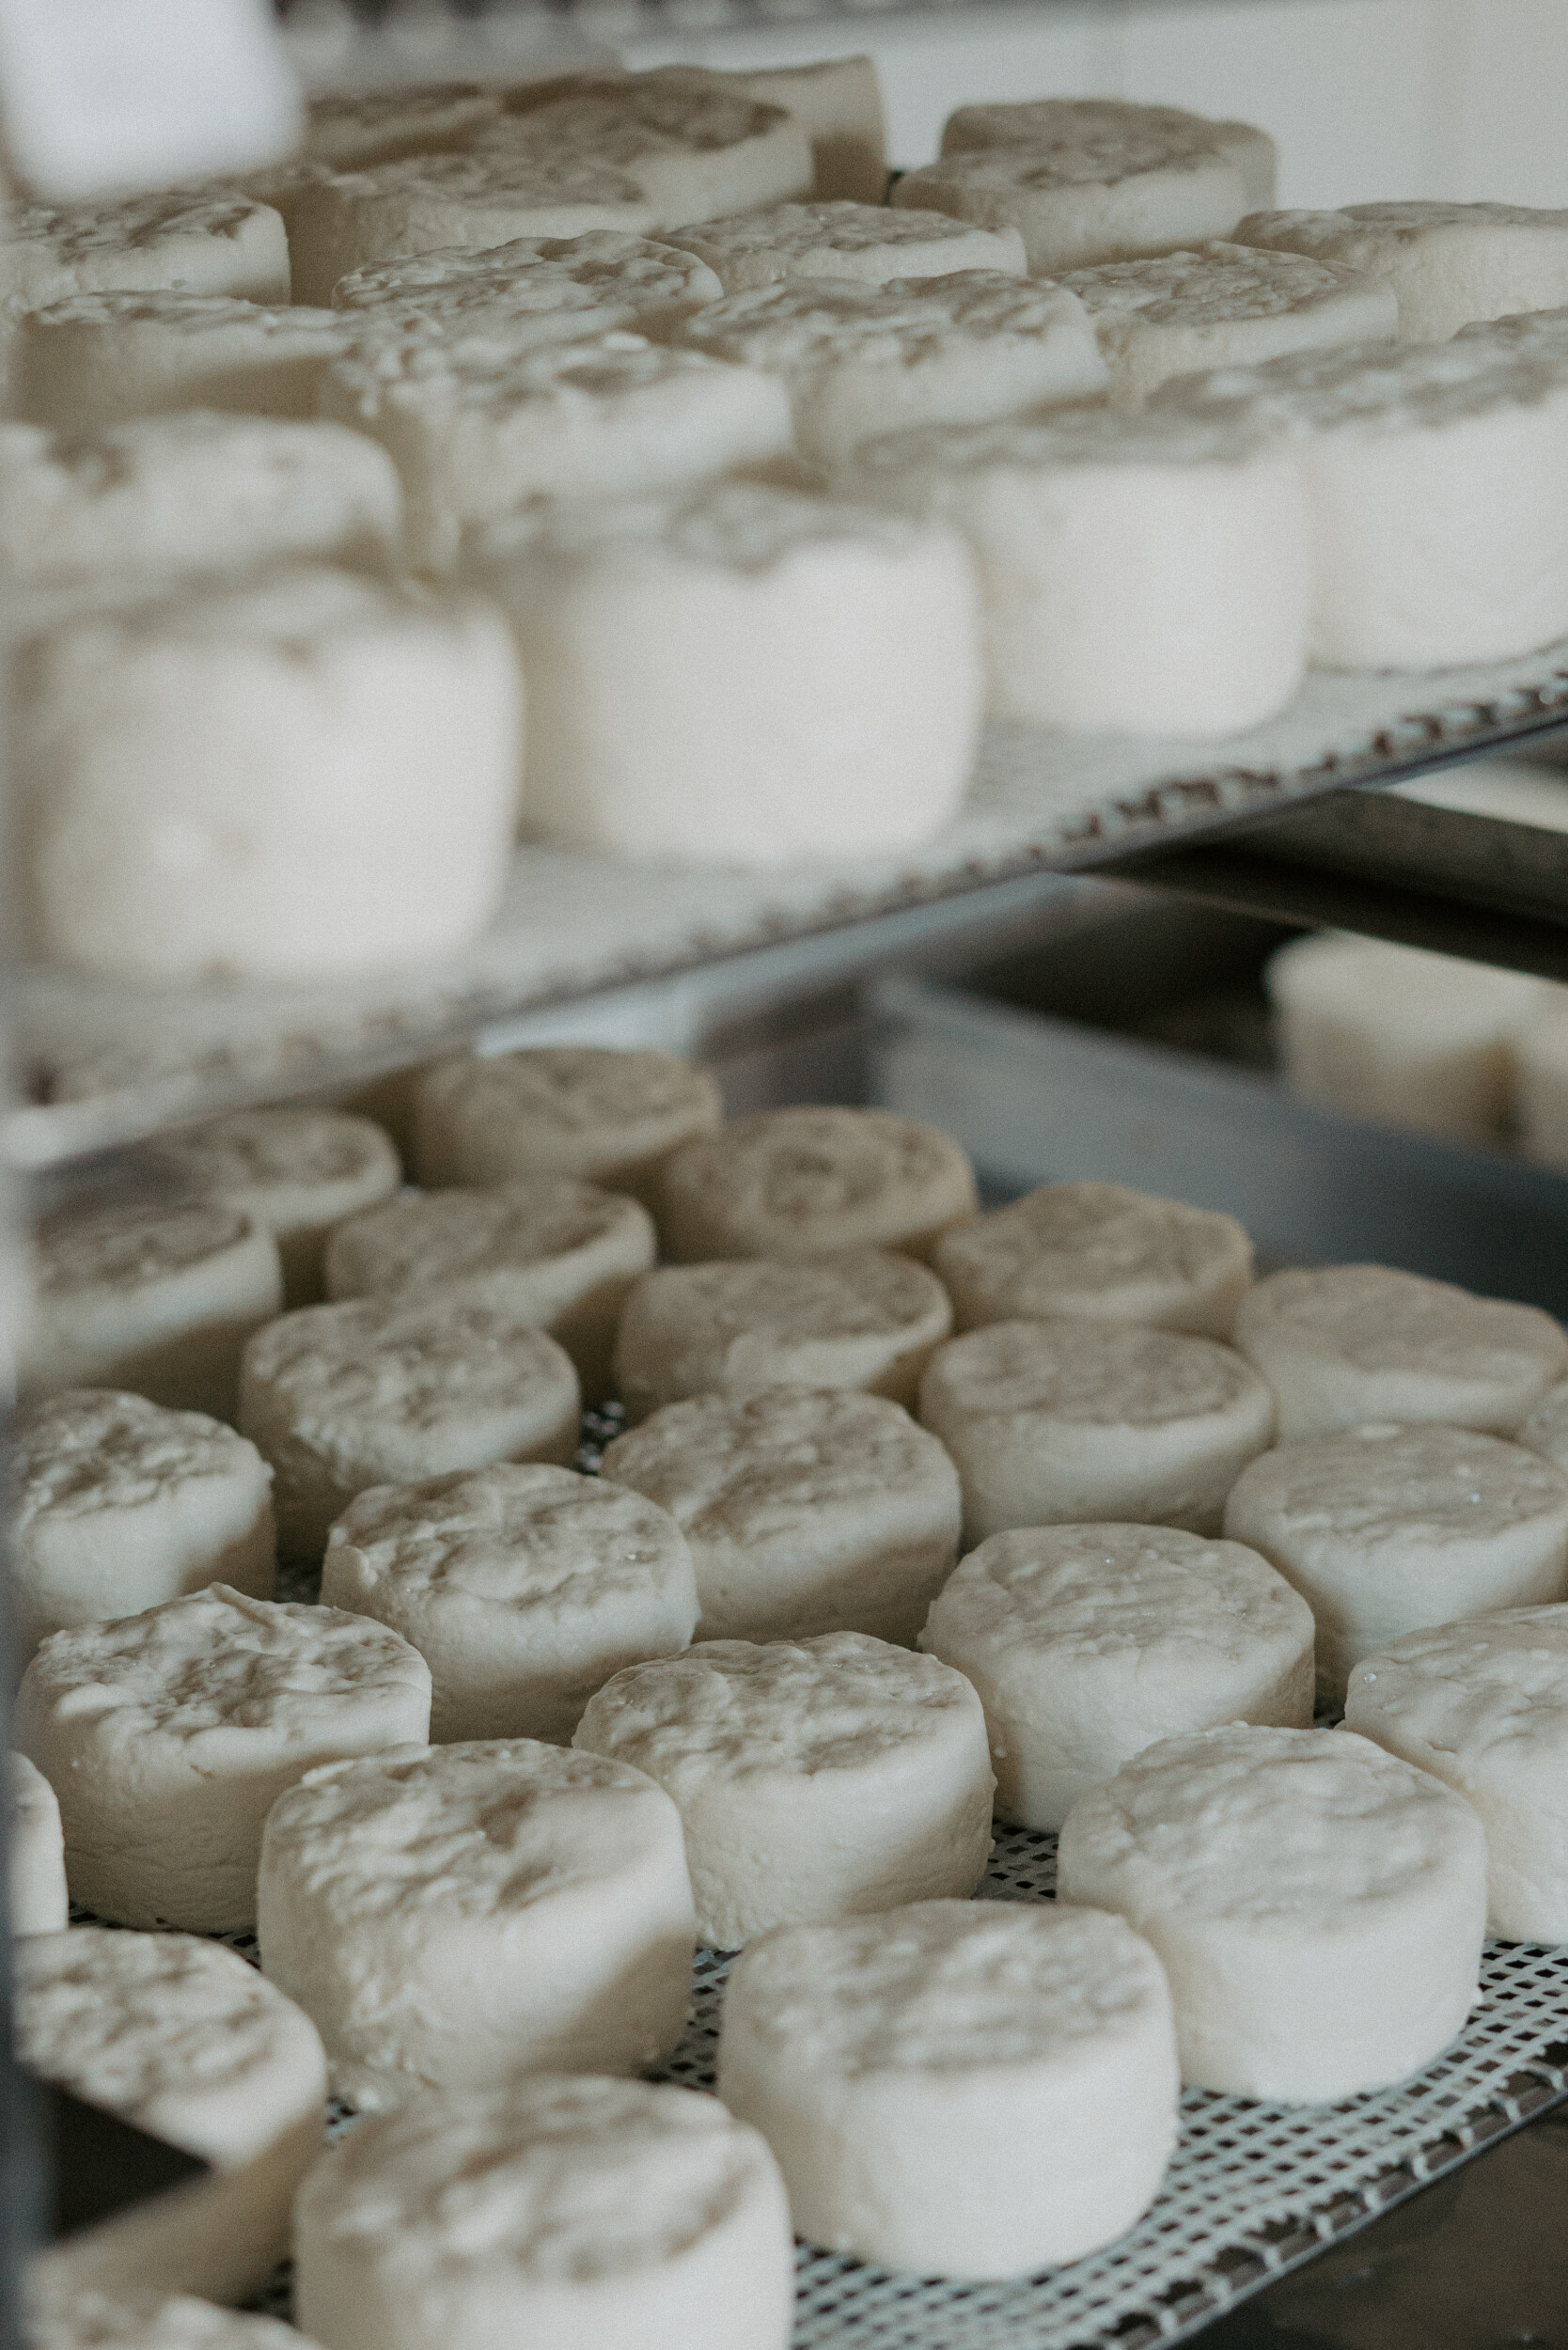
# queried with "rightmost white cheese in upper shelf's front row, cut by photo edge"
point(1438, 488)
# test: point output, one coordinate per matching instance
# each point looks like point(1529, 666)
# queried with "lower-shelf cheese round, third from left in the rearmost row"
point(1099, 1251)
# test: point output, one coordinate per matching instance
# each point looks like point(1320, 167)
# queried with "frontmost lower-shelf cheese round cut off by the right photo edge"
point(1485, 1707)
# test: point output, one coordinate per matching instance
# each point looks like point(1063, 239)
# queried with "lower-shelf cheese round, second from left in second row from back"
point(561, 1254)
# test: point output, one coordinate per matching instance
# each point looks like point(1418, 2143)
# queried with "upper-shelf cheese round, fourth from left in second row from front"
point(1224, 307)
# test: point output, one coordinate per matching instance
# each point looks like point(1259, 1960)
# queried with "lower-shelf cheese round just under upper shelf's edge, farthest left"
point(293, 1171)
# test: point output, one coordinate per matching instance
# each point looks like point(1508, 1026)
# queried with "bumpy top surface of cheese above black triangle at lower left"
point(173, 2034)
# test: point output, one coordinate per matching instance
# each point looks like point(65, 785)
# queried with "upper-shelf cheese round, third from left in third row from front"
point(864, 243)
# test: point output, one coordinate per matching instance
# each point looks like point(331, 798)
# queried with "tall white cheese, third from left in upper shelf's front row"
point(1139, 575)
